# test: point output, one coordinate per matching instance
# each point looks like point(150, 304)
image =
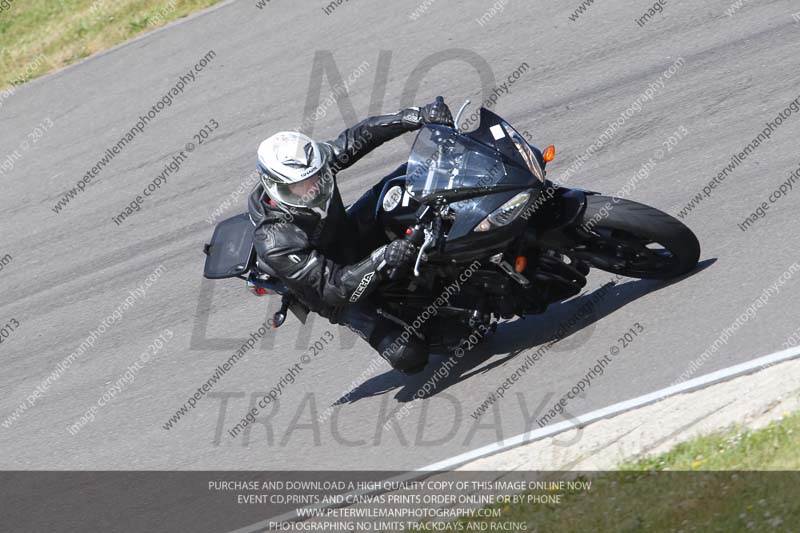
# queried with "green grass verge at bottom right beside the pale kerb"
point(712, 483)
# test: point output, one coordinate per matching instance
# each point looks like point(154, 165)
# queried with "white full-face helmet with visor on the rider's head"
point(295, 172)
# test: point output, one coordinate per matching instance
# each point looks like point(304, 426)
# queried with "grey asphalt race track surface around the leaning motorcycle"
point(71, 270)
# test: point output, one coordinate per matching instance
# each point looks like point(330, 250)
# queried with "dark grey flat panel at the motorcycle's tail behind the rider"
point(231, 251)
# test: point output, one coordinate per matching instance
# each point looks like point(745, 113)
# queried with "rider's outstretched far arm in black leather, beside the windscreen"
point(356, 142)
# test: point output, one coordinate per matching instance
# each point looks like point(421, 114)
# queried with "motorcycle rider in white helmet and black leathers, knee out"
point(330, 258)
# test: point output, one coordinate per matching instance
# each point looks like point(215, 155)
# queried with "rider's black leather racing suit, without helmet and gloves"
point(328, 263)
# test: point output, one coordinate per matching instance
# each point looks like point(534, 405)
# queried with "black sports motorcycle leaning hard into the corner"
point(480, 202)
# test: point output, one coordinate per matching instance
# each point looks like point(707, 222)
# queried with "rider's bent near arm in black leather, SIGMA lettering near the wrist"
point(285, 249)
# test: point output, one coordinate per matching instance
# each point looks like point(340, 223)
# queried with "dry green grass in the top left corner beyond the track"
point(38, 36)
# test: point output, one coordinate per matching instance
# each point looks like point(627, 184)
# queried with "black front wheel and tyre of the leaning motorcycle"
point(635, 240)
